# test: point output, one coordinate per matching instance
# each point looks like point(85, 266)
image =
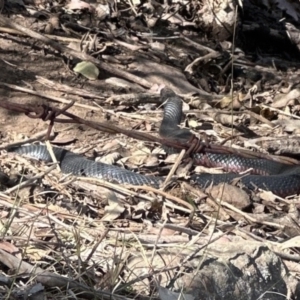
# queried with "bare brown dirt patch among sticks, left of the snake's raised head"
point(21, 63)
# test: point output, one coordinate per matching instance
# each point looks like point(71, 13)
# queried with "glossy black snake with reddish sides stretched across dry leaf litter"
point(281, 179)
